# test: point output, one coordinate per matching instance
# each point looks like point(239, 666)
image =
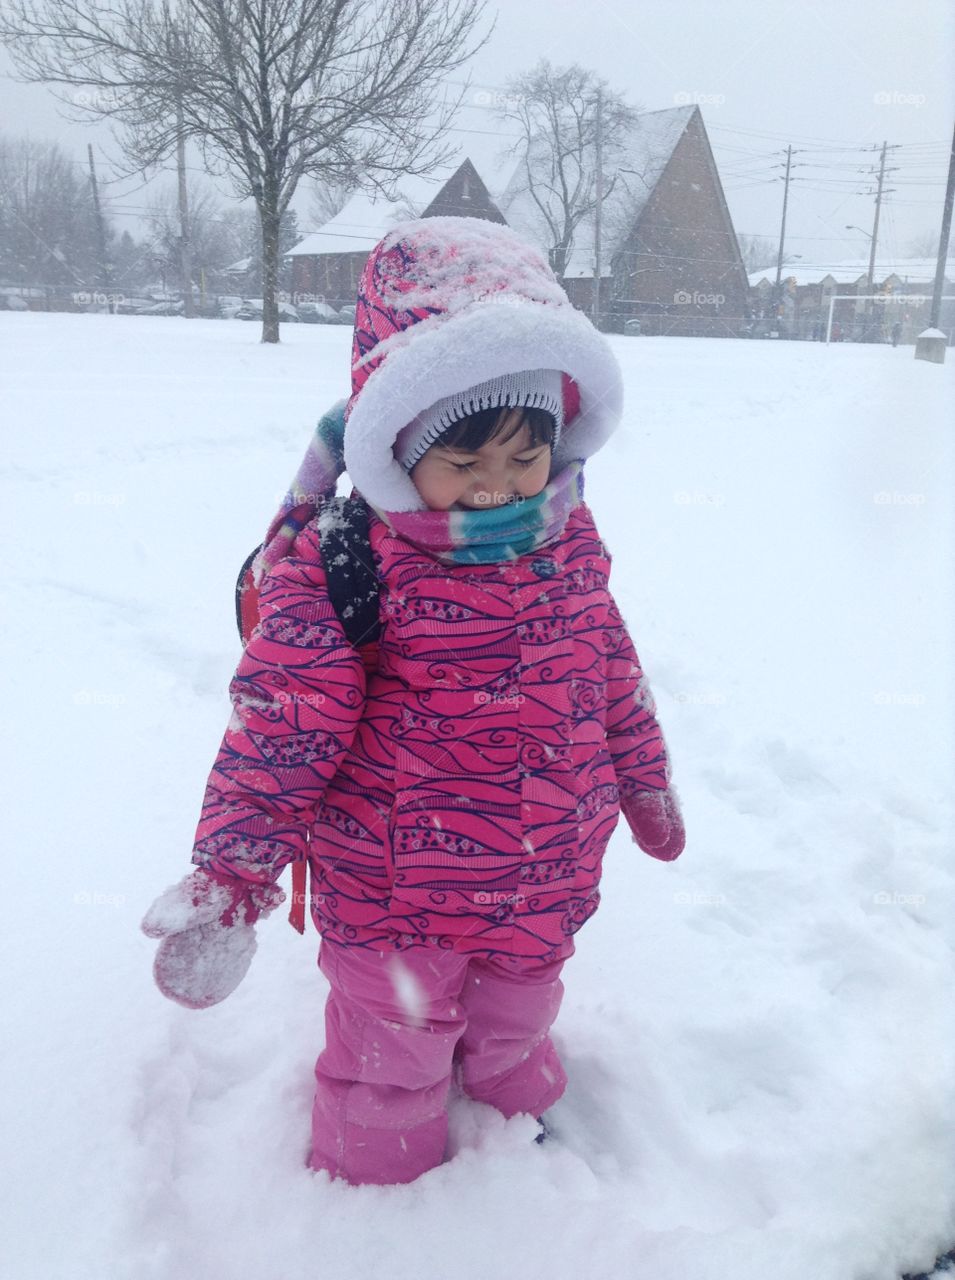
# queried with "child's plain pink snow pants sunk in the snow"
point(397, 1026)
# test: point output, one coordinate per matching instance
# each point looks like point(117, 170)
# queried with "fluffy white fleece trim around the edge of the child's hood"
point(472, 346)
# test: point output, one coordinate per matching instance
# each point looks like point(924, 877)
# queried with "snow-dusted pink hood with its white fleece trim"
point(447, 303)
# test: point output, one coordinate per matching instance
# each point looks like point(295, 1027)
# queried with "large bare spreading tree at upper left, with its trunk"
point(271, 90)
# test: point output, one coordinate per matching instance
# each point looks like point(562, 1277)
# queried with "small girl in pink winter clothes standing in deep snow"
point(454, 785)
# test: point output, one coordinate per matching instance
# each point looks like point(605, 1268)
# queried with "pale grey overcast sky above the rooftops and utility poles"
point(830, 77)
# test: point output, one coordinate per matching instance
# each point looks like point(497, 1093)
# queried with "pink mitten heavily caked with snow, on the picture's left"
point(207, 924)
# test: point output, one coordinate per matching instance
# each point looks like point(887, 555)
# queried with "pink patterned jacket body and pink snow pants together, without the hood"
point(455, 793)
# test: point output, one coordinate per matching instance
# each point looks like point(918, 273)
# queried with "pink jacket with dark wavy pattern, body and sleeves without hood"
point(459, 787)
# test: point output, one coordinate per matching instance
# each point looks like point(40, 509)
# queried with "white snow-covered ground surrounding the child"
point(758, 1037)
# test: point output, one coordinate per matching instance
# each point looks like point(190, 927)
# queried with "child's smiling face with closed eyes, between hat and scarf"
point(451, 478)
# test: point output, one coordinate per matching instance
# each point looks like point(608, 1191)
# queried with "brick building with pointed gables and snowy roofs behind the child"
point(670, 255)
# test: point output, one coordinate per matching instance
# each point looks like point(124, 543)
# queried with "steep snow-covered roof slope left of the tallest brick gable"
point(645, 156)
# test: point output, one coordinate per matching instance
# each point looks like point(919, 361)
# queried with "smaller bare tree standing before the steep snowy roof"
point(561, 113)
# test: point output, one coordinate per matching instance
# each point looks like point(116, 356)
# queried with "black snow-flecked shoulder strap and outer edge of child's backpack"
point(350, 569)
